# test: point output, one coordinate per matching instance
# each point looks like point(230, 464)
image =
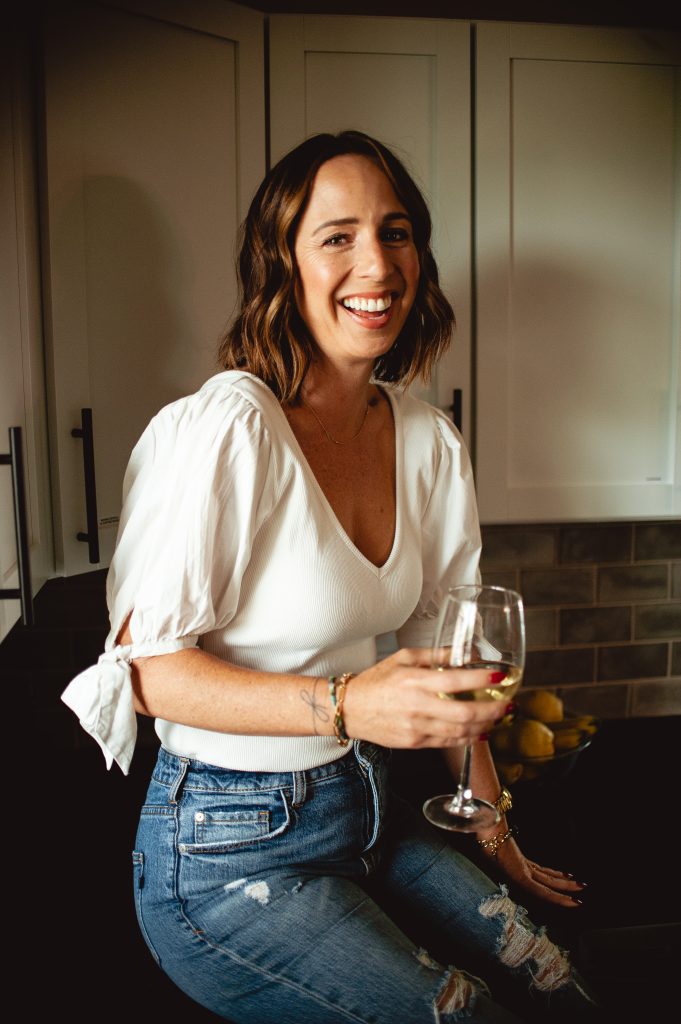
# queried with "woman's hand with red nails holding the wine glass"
point(397, 704)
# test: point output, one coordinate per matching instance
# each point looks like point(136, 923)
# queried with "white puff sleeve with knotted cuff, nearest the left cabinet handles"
point(199, 485)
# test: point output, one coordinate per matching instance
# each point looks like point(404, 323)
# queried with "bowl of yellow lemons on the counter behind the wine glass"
point(541, 740)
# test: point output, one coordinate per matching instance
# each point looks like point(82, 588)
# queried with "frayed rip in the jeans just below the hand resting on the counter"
point(521, 946)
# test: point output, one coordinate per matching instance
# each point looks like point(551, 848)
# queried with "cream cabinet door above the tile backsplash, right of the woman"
point(579, 196)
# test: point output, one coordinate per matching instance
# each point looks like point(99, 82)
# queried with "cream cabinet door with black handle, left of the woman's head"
point(154, 145)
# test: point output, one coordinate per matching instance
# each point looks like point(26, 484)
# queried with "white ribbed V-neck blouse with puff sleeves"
point(228, 541)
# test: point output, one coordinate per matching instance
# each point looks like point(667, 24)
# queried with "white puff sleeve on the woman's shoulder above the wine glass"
point(450, 530)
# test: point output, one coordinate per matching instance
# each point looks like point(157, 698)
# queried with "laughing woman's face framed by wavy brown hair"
point(358, 265)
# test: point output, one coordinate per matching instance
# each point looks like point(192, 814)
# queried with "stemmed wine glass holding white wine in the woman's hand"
point(478, 628)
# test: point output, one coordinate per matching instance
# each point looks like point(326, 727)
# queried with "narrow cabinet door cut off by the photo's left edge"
point(22, 377)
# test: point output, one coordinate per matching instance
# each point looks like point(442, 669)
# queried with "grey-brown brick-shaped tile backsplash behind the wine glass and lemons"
point(604, 609)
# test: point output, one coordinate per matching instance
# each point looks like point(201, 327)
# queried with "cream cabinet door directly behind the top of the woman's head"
point(407, 82)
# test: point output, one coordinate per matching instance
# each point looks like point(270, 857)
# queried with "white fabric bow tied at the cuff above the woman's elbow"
point(103, 698)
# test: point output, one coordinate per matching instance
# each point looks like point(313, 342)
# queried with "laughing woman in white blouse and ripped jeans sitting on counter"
point(275, 525)
